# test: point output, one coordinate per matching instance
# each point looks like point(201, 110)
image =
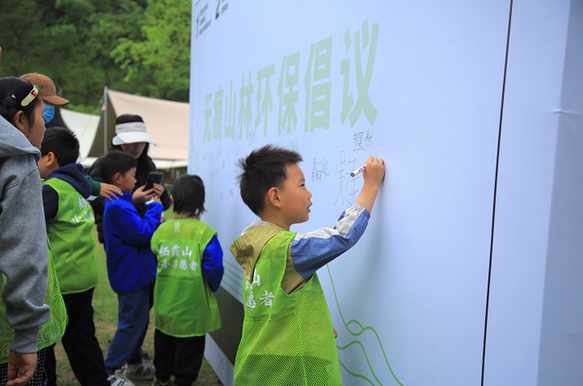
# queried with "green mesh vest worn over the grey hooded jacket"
point(51, 331)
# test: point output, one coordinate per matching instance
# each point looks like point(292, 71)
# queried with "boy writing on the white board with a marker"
point(288, 338)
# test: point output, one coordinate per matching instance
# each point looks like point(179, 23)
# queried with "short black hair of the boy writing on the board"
point(264, 169)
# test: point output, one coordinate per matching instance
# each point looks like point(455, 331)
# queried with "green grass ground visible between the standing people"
point(105, 305)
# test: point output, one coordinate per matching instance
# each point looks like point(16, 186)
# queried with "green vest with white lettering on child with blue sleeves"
point(184, 304)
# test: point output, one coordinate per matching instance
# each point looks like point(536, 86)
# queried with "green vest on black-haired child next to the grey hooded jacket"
point(70, 233)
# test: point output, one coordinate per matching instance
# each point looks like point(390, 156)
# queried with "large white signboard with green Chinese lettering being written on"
point(420, 84)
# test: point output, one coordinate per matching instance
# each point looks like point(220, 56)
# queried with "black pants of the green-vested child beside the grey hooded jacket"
point(80, 344)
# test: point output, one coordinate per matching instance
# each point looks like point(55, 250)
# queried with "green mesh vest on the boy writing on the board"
point(287, 338)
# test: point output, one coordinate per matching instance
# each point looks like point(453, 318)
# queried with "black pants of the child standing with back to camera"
point(181, 357)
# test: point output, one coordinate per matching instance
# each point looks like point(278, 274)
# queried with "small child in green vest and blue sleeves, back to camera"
point(190, 269)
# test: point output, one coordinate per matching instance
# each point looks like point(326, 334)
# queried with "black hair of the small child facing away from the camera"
point(188, 195)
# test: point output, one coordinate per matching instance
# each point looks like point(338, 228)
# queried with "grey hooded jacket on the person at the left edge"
point(23, 239)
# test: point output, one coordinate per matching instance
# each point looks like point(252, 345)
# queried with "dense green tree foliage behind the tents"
point(136, 46)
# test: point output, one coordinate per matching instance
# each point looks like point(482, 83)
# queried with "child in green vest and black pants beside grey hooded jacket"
point(70, 221)
